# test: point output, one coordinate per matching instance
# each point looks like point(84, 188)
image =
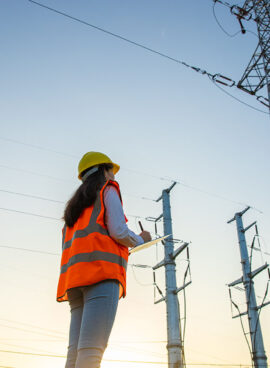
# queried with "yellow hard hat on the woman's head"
point(95, 158)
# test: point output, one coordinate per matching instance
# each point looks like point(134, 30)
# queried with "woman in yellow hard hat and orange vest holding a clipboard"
point(94, 259)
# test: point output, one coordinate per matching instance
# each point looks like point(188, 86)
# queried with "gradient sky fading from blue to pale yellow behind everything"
point(67, 89)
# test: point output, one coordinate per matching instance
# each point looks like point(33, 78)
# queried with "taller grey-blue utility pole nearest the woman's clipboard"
point(174, 336)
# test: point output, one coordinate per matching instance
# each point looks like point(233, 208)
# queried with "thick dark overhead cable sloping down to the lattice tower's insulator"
point(217, 77)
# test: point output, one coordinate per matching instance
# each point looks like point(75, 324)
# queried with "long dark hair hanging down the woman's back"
point(85, 195)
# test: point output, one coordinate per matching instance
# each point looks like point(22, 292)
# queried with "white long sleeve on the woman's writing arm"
point(115, 220)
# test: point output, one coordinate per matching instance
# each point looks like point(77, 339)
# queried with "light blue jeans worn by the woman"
point(93, 309)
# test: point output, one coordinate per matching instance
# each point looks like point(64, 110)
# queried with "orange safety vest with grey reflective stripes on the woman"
point(89, 254)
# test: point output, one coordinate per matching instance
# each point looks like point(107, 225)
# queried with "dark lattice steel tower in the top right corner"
point(257, 73)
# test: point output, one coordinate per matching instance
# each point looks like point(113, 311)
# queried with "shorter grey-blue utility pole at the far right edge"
point(258, 353)
